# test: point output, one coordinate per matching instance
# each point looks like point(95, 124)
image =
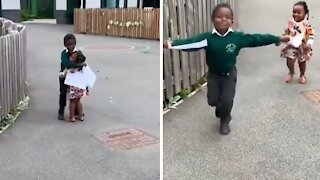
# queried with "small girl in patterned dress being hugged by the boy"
point(75, 93)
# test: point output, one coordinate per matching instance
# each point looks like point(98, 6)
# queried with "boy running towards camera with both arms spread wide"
point(222, 47)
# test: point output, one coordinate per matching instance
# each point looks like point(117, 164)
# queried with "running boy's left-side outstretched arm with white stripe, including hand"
point(189, 44)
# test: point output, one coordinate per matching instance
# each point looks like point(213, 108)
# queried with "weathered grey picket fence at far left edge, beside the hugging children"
point(12, 66)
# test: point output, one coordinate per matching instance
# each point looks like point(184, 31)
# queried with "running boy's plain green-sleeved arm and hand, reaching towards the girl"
point(256, 40)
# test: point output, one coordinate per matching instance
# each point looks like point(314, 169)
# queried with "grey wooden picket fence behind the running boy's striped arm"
point(182, 19)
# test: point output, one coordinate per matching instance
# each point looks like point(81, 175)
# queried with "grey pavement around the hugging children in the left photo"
point(126, 95)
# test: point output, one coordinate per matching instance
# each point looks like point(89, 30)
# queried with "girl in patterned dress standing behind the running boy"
point(299, 49)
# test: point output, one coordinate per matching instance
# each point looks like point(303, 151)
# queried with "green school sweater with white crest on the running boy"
point(222, 52)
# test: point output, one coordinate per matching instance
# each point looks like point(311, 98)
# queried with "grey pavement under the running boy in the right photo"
point(275, 130)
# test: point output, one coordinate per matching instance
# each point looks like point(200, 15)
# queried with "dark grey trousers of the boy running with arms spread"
point(221, 92)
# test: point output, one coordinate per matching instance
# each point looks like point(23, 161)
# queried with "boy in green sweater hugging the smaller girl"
point(70, 42)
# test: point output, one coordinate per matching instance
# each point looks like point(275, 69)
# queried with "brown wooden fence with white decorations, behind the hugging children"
point(122, 22)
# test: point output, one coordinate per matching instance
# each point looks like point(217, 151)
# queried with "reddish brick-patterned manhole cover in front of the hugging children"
point(126, 139)
